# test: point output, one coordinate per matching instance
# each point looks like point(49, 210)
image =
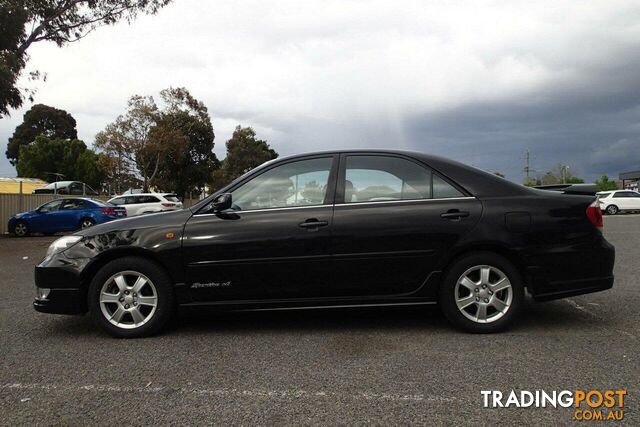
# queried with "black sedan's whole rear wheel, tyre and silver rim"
point(501, 303)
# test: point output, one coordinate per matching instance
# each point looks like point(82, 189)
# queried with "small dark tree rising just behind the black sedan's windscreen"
point(244, 152)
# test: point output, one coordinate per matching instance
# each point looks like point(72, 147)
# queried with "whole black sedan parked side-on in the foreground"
point(336, 229)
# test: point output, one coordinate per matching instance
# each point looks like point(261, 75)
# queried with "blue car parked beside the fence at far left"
point(64, 215)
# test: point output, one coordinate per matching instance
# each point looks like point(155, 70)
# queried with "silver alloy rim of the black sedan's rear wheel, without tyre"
point(483, 294)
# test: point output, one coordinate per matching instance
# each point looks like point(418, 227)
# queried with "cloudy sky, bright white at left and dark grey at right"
point(477, 81)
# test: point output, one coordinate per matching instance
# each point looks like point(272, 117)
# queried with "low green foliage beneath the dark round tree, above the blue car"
point(70, 158)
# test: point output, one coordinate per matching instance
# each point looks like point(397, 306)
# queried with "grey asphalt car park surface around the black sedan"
point(346, 366)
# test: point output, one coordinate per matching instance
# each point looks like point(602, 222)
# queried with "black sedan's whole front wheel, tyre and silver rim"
point(121, 301)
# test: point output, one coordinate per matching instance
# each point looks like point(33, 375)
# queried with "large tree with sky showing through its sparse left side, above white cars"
point(170, 146)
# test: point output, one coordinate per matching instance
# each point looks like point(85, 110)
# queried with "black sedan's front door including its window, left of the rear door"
point(274, 241)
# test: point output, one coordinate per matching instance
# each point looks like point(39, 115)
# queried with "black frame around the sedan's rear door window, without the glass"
point(339, 199)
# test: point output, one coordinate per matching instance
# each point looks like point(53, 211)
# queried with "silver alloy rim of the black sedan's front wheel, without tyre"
point(128, 299)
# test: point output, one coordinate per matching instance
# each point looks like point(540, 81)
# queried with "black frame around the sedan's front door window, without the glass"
point(328, 198)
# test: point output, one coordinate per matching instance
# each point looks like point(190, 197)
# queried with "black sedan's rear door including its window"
point(393, 220)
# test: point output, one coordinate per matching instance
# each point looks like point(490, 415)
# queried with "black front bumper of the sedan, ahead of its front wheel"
point(62, 276)
